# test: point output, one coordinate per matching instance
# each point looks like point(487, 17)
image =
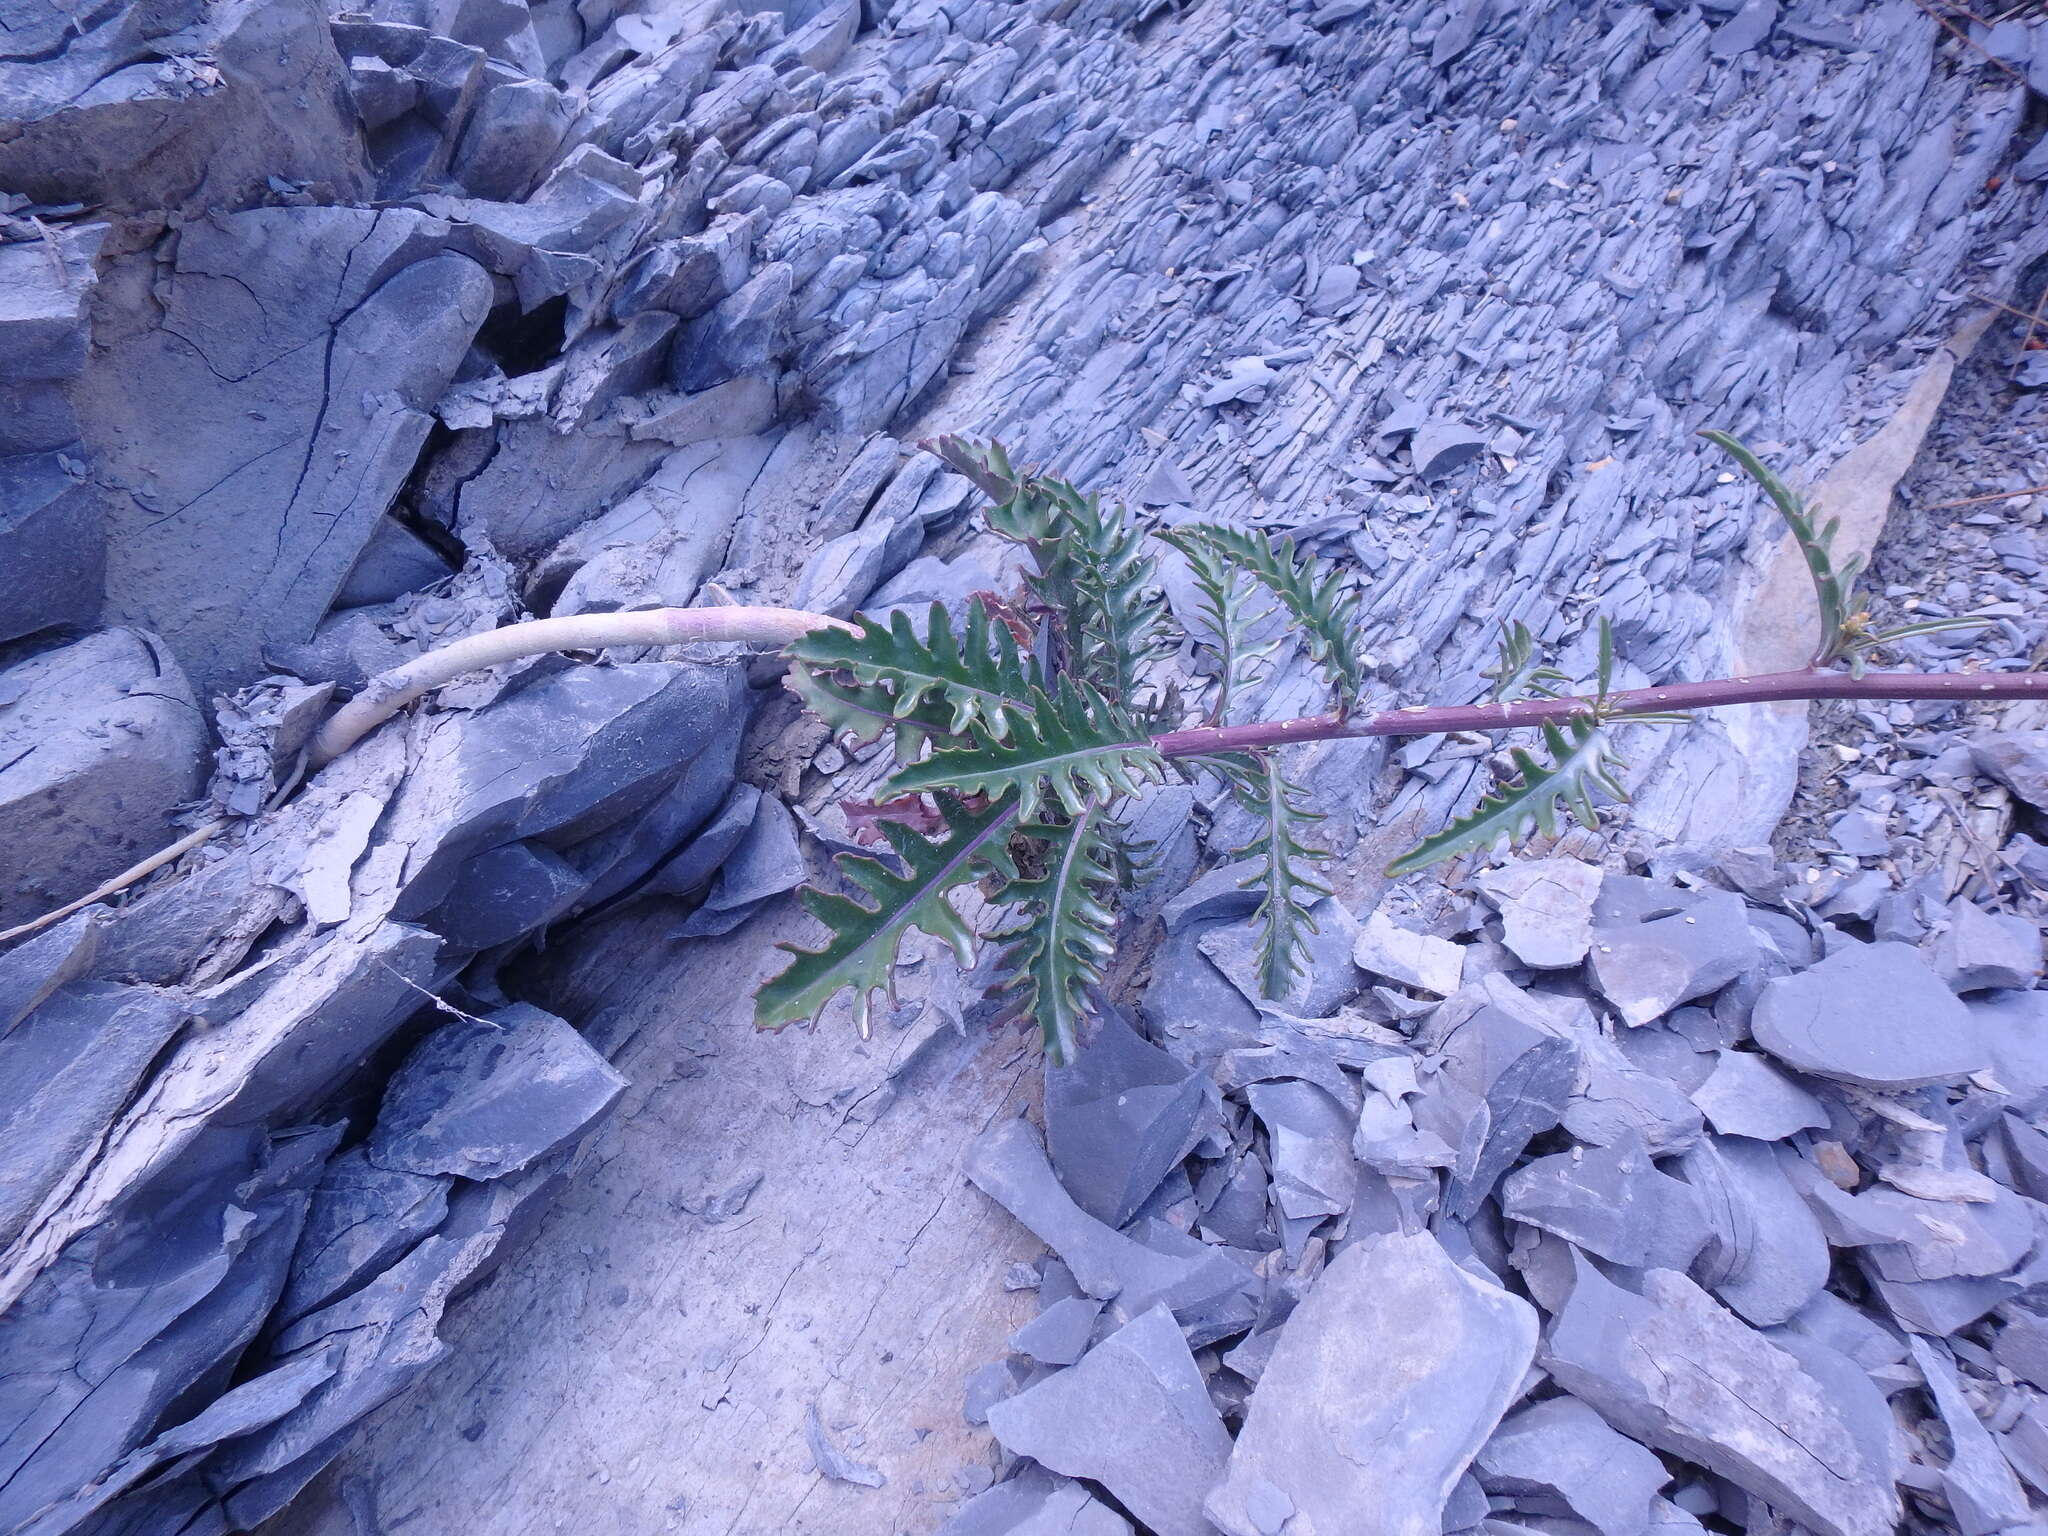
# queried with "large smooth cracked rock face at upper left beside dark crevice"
point(306, 349)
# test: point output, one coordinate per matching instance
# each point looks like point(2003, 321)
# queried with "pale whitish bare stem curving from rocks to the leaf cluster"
point(388, 693)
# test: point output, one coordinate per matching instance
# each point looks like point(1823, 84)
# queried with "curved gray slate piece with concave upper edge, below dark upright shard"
point(1011, 1168)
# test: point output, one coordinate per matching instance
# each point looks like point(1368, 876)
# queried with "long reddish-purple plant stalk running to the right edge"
point(1773, 687)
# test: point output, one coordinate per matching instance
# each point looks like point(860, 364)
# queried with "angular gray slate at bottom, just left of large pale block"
point(1134, 1416)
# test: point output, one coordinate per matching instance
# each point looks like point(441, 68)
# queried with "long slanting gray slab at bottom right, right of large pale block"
point(1676, 1371)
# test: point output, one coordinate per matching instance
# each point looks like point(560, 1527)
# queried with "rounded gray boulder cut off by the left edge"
point(99, 742)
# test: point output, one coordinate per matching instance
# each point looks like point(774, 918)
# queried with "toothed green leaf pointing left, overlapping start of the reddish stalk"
point(1076, 744)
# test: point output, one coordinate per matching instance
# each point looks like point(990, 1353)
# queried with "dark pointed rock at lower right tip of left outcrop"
point(484, 1099)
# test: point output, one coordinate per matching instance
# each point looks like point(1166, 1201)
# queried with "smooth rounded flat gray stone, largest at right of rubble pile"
point(1869, 1015)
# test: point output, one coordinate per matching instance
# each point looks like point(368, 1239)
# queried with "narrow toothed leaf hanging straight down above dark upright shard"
point(1062, 937)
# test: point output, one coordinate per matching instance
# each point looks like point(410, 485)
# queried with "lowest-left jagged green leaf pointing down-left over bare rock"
point(865, 939)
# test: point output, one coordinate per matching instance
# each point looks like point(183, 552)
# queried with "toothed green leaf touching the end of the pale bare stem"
point(982, 681)
